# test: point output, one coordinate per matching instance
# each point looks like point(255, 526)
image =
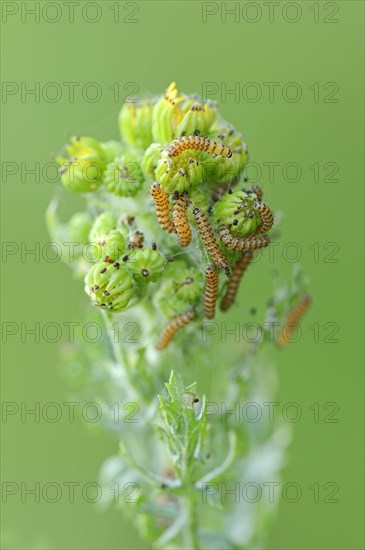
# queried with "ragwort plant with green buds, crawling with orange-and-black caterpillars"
point(163, 243)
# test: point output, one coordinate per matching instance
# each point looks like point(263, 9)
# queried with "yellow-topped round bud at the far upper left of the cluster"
point(83, 172)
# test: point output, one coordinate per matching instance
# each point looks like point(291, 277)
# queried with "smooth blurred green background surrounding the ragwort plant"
point(169, 41)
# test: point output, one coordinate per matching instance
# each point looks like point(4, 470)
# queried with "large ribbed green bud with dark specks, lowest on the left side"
point(109, 286)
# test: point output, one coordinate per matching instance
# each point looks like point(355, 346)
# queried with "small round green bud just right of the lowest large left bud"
point(146, 264)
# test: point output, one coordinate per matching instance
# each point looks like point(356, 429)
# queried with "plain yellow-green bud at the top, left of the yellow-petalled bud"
point(135, 123)
